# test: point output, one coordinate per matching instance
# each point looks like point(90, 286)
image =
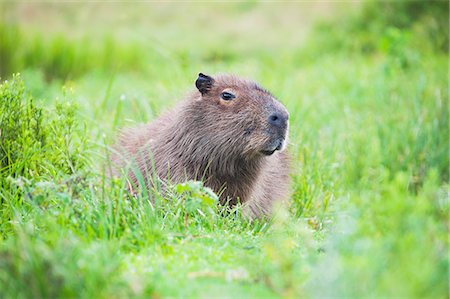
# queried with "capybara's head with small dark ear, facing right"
point(239, 116)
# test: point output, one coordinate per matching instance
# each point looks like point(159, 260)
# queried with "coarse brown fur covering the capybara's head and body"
point(220, 142)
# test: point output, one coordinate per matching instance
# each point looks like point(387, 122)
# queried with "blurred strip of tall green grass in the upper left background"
point(60, 57)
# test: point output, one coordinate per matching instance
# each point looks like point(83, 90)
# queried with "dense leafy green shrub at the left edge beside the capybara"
point(39, 149)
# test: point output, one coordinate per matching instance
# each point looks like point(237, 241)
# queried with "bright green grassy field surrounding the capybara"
point(366, 86)
